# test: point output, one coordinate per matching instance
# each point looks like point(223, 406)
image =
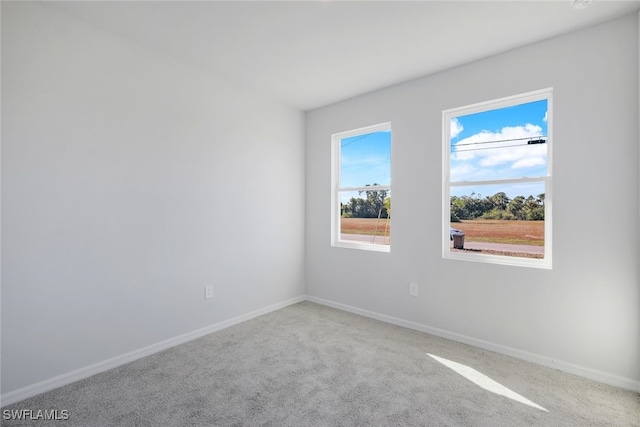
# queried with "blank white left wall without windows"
point(130, 181)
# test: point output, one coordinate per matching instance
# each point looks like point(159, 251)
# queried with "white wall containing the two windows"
point(584, 314)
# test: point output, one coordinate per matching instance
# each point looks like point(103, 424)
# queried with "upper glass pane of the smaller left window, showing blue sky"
point(365, 160)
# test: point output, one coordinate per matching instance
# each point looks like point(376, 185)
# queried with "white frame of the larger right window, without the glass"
point(447, 115)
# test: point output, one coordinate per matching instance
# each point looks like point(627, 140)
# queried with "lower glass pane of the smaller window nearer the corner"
point(365, 216)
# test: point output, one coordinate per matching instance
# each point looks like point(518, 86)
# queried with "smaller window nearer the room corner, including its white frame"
point(361, 188)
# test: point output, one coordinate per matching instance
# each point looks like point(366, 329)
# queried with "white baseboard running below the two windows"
point(603, 377)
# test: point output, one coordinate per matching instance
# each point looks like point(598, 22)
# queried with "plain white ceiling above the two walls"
point(313, 53)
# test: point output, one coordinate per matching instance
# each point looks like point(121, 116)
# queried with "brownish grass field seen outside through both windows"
point(496, 231)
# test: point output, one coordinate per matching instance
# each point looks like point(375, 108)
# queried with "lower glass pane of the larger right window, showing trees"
point(500, 219)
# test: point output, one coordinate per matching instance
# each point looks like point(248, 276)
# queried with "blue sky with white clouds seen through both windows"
point(486, 145)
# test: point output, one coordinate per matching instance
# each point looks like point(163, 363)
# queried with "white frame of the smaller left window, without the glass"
point(336, 138)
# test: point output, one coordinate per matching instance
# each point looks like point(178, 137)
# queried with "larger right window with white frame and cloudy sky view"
point(497, 181)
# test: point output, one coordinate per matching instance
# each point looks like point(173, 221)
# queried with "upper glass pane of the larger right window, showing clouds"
point(503, 143)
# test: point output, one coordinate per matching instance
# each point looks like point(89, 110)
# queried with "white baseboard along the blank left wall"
point(79, 374)
